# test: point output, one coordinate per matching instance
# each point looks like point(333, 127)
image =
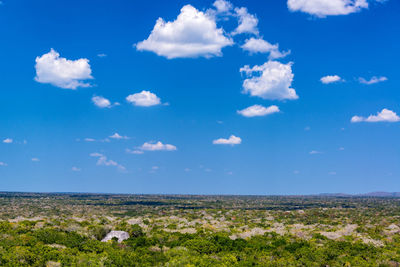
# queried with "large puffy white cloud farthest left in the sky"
point(62, 72)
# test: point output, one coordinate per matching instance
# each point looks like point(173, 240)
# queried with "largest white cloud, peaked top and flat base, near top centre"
point(193, 34)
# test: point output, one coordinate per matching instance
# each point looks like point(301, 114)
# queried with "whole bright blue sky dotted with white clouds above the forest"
point(240, 97)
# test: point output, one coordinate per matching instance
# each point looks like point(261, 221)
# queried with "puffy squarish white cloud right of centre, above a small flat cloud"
point(272, 80)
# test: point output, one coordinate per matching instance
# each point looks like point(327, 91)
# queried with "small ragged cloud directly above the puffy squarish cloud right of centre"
point(258, 45)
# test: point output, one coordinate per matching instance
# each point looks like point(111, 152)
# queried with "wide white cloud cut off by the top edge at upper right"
point(323, 8)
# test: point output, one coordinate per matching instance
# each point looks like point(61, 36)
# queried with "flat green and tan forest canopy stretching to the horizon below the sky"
point(180, 230)
